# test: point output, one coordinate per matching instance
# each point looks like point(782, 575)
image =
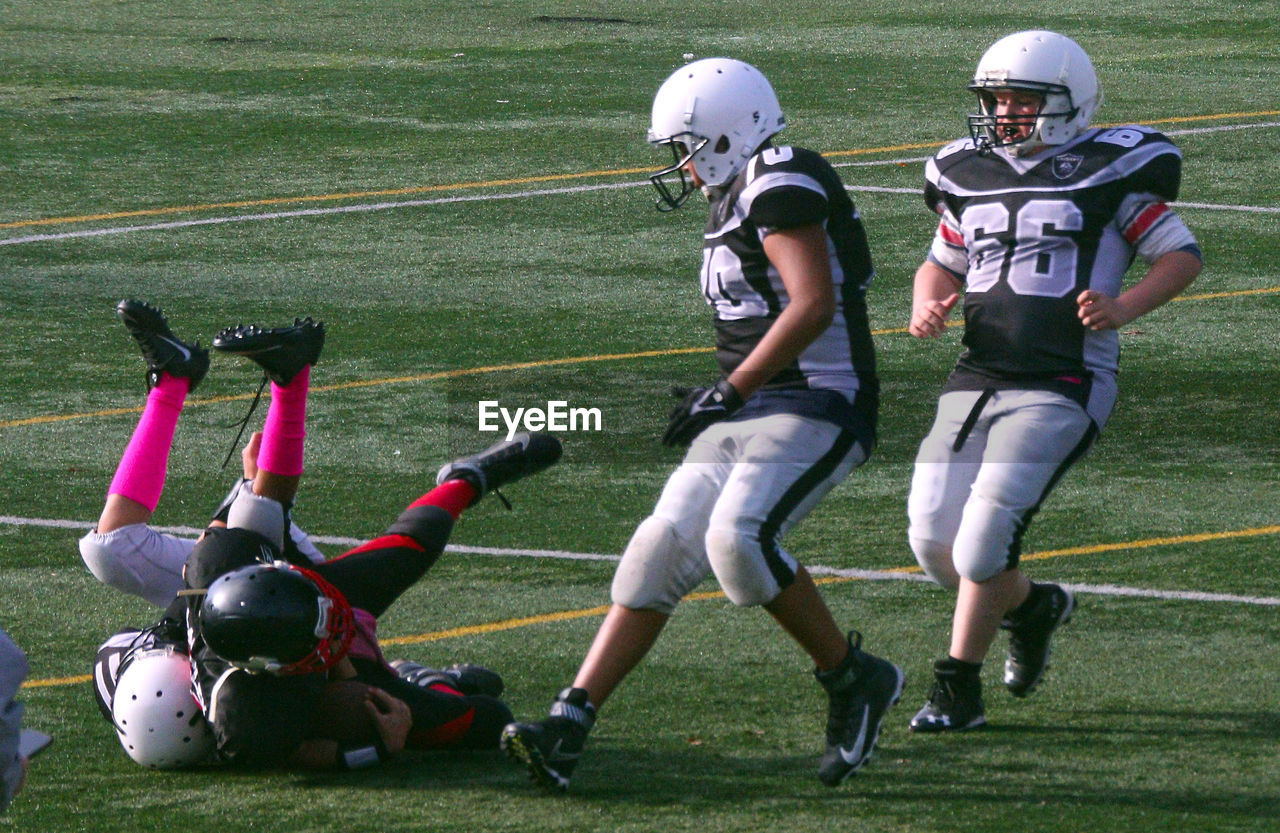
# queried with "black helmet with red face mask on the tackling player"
point(277, 619)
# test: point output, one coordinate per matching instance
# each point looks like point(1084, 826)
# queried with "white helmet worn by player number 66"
point(1045, 63)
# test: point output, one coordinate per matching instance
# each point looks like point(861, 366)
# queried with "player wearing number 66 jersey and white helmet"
point(1041, 217)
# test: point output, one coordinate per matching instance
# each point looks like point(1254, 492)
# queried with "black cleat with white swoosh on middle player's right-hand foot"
point(861, 692)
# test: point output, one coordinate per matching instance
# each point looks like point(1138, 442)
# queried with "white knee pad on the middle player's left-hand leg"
point(657, 569)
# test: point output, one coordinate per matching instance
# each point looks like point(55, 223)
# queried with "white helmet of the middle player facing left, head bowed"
point(714, 115)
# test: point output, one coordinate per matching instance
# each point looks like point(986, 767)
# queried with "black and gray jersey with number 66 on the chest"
point(1027, 236)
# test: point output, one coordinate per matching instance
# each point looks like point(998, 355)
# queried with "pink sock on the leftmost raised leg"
point(143, 469)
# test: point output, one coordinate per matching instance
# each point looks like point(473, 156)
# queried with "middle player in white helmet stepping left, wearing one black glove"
point(785, 269)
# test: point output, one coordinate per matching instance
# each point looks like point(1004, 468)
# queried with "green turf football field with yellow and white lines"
point(459, 190)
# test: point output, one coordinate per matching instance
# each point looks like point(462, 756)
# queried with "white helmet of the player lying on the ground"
point(157, 716)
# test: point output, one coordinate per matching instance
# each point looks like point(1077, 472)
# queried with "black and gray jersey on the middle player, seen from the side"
point(784, 189)
